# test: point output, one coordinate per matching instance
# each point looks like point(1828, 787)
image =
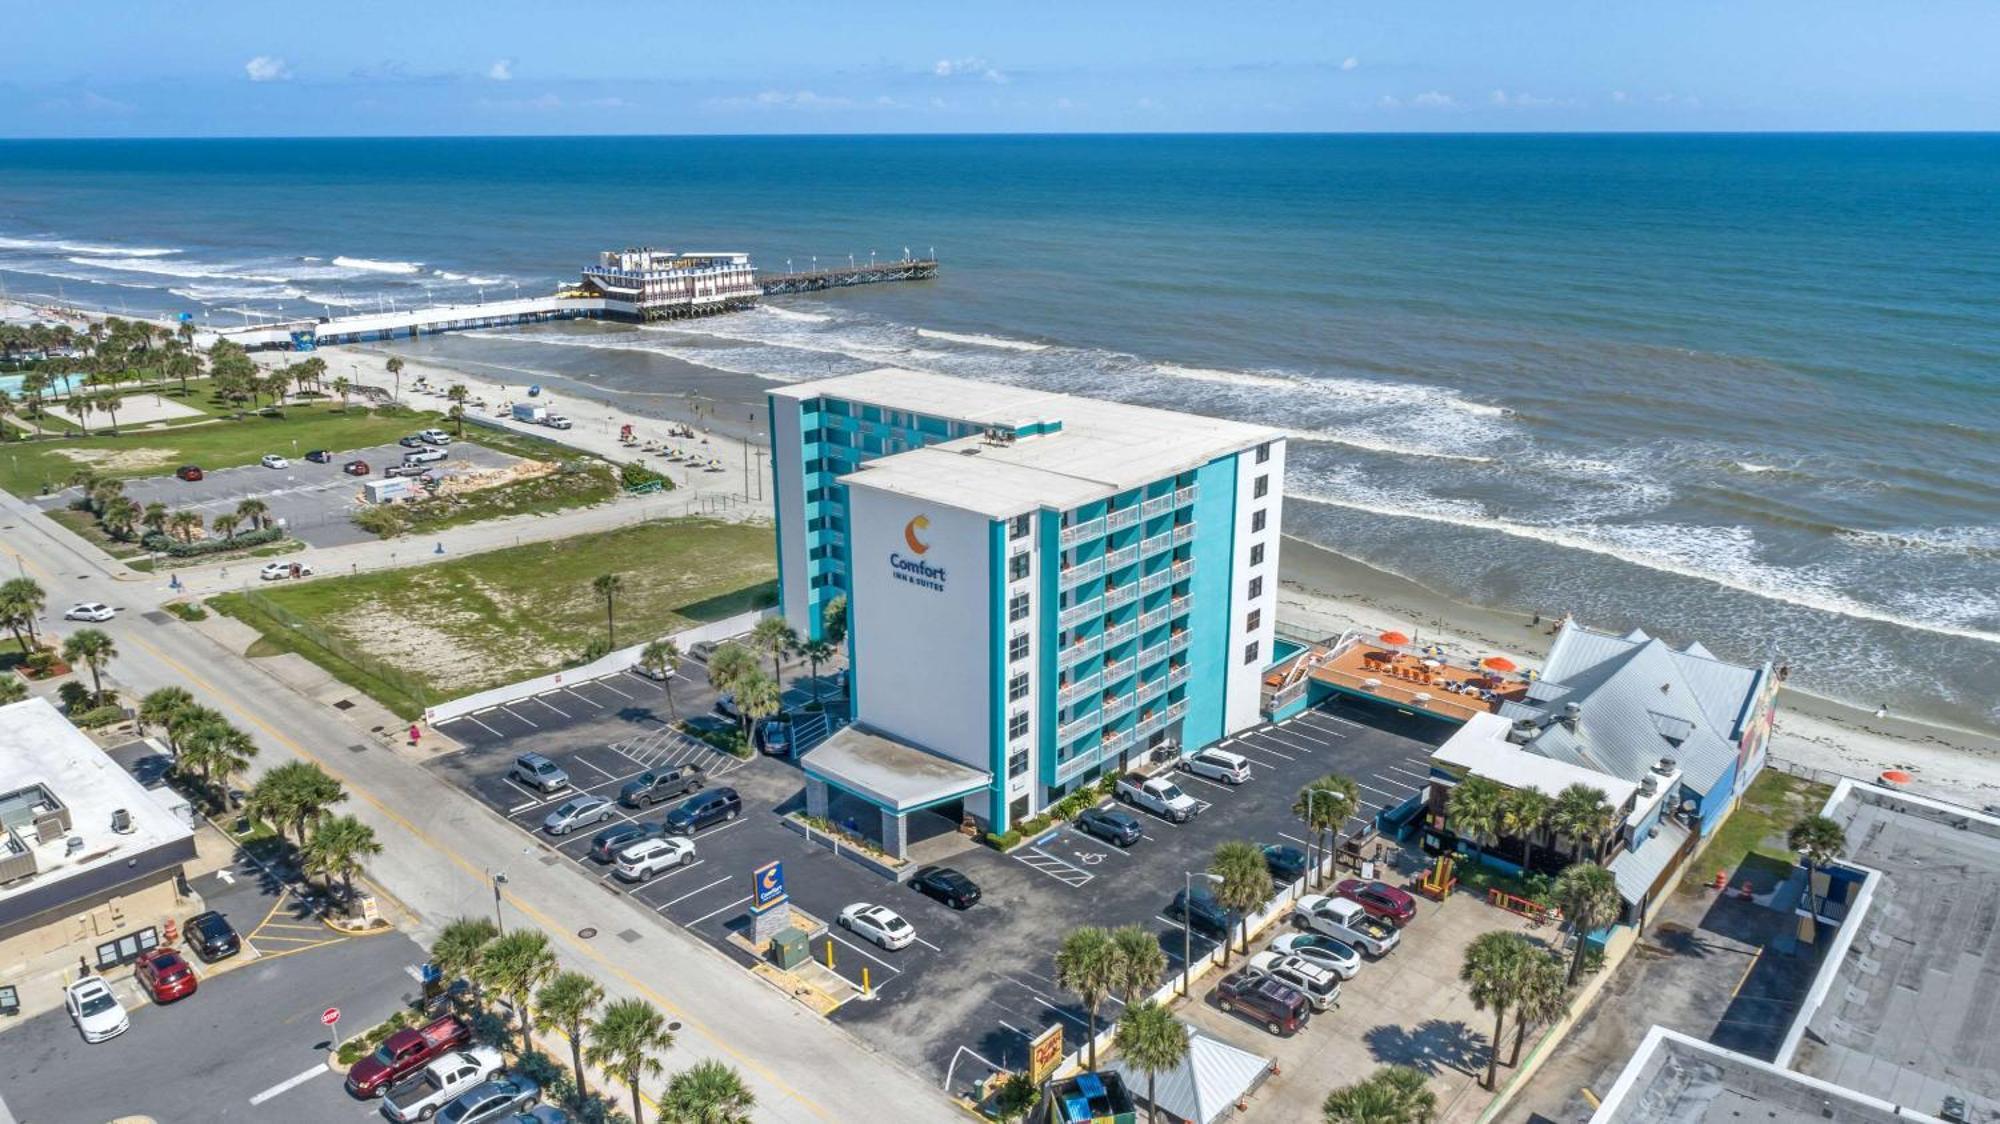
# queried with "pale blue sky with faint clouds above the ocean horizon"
point(505, 67)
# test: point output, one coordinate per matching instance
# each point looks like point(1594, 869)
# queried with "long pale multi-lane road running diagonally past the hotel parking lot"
point(441, 845)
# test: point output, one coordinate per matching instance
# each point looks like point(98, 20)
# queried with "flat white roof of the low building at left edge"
point(41, 747)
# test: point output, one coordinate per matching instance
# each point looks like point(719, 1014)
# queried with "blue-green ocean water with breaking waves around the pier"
point(1739, 389)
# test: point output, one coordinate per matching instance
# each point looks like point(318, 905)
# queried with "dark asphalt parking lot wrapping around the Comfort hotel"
point(975, 987)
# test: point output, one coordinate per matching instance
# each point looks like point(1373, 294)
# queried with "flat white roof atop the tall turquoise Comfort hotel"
point(1103, 447)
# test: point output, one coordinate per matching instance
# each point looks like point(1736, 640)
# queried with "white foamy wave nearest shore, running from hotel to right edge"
point(1715, 555)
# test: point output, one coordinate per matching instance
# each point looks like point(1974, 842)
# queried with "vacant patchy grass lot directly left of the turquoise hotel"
point(419, 637)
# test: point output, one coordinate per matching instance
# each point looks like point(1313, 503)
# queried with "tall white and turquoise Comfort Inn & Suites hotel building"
point(1041, 589)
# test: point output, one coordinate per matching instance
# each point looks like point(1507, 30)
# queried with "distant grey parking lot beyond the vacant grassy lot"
point(313, 501)
